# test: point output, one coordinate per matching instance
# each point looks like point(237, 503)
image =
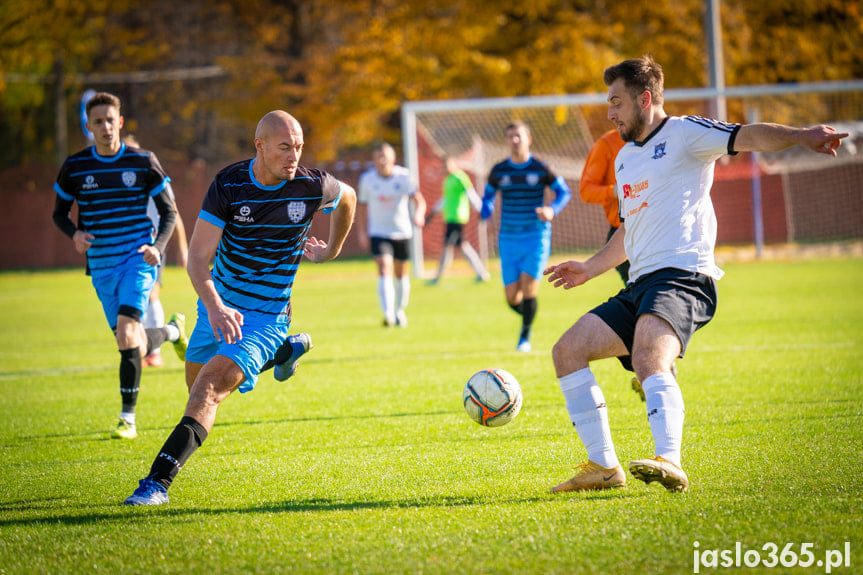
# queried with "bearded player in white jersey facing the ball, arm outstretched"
point(668, 232)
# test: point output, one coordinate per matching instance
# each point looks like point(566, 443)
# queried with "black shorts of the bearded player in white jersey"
point(686, 300)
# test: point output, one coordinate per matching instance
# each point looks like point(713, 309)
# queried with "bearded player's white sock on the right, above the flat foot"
point(665, 411)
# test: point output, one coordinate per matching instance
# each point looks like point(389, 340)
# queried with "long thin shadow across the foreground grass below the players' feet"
point(316, 505)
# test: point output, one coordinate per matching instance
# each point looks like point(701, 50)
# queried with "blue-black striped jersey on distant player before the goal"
point(522, 190)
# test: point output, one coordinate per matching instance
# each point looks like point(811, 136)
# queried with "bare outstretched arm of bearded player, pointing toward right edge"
point(763, 137)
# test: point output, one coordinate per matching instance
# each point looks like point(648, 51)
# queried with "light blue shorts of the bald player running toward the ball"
point(259, 344)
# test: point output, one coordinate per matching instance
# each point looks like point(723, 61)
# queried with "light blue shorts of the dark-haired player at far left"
point(127, 285)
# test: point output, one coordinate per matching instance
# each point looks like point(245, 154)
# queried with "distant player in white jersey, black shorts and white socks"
point(393, 207)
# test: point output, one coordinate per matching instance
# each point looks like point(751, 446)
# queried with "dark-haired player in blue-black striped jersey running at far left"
point(112, 185)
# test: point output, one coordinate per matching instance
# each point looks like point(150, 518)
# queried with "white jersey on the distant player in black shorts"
point(386, 200)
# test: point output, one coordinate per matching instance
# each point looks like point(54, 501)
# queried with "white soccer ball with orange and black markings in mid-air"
point(492, 397)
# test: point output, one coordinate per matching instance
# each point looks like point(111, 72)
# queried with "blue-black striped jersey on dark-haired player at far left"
point(112, 194)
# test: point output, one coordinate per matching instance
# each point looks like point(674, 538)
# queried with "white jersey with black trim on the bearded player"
point(663, 185)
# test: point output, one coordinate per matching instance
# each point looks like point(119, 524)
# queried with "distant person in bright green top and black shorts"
point(455, 203)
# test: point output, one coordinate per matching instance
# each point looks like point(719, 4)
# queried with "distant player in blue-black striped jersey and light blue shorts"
point(524, 239)
